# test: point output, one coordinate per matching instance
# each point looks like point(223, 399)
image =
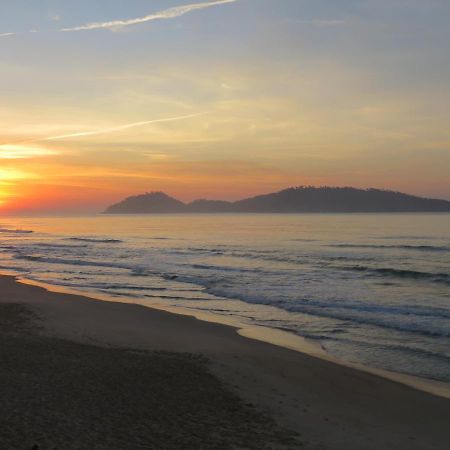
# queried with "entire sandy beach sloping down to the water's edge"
point(80, 373)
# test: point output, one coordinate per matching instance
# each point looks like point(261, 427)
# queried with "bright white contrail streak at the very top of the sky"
point(165, 14)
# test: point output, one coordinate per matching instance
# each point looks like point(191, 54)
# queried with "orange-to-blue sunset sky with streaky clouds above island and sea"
point(220, 99)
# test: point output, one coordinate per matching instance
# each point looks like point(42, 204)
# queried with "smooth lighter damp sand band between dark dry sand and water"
point(332, 406)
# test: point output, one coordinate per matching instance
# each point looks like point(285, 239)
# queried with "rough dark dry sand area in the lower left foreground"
point(60, 394)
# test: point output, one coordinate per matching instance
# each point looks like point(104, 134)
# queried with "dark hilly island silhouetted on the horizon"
point(303, 199)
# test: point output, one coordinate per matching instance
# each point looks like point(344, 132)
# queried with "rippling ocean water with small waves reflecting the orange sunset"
point(372, 289)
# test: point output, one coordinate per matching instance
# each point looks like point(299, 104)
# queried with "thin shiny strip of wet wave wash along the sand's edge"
point(272, 336)
